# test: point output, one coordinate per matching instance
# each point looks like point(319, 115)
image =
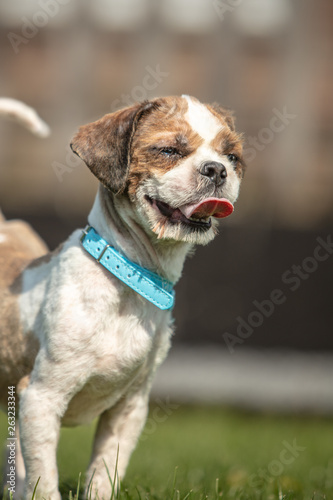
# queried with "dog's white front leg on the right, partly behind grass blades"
point(118, 427)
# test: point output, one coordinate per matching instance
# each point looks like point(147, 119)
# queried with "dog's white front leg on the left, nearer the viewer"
point(43, 403)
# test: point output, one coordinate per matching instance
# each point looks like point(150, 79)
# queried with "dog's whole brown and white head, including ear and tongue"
point(178, 161)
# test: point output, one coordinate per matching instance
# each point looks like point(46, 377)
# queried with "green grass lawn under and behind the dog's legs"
point(202, 452)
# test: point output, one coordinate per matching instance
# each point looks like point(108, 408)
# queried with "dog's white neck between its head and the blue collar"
point(115, 220)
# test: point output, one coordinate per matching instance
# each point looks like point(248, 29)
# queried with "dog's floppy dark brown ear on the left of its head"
point(105, 145)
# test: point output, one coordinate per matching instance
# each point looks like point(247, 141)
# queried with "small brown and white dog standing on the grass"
point(77, 342)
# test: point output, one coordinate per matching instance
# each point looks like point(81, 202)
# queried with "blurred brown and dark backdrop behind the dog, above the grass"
point(271, 61)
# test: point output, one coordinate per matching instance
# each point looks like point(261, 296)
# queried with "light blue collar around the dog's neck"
point(148, 284)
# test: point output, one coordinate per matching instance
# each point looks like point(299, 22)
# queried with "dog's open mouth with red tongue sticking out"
point(196, 215)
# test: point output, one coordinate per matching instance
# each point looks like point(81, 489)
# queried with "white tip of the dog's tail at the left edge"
point(25, 115)
